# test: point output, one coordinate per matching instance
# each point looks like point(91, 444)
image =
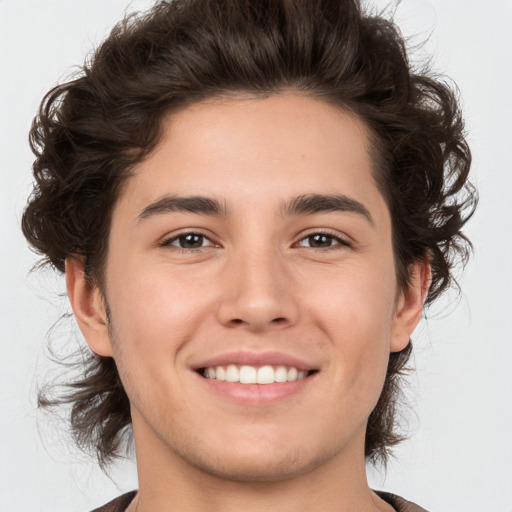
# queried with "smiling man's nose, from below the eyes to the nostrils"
point(258, 294)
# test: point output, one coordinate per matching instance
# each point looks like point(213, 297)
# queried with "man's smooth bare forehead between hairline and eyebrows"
point(249, 150)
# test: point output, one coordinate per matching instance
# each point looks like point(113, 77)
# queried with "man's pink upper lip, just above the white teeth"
point(241, 357)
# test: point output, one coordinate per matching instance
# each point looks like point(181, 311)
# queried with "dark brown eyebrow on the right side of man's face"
point(319, 203)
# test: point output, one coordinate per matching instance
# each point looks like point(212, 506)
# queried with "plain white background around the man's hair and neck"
point(459, 457)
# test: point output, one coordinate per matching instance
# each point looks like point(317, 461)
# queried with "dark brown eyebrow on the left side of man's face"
point(192, 204)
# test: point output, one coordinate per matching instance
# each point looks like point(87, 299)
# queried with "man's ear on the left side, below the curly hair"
point(89, 307)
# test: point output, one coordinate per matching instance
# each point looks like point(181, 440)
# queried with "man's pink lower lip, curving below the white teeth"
point(257, 394)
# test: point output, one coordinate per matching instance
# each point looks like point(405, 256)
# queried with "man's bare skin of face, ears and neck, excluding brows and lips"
point(257, 284)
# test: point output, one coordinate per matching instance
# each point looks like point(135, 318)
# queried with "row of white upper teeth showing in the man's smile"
point(255, 375)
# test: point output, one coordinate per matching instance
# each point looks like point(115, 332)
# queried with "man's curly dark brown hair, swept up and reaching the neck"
point(91, 131)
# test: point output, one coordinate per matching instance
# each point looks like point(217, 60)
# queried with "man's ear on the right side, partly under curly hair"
point(409, 306)
